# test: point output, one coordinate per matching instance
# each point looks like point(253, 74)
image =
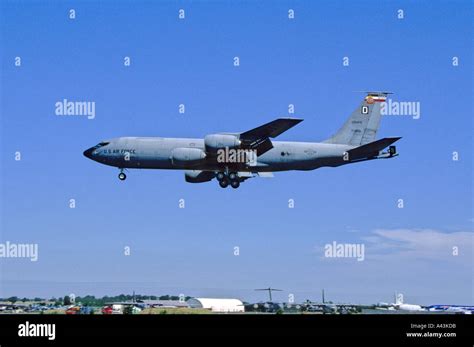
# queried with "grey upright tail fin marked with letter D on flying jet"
point(361, 127)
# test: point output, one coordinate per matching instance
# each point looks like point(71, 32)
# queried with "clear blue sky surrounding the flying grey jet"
point(282, 62)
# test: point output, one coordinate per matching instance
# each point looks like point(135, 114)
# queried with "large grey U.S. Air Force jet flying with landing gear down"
point(232, 158)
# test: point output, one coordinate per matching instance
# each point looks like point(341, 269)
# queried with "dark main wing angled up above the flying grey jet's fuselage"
point(259, 138)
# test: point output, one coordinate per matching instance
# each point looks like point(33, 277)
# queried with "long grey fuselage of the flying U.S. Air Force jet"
point(157, 153)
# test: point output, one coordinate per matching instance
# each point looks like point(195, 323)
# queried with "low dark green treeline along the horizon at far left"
point(91, 300)
